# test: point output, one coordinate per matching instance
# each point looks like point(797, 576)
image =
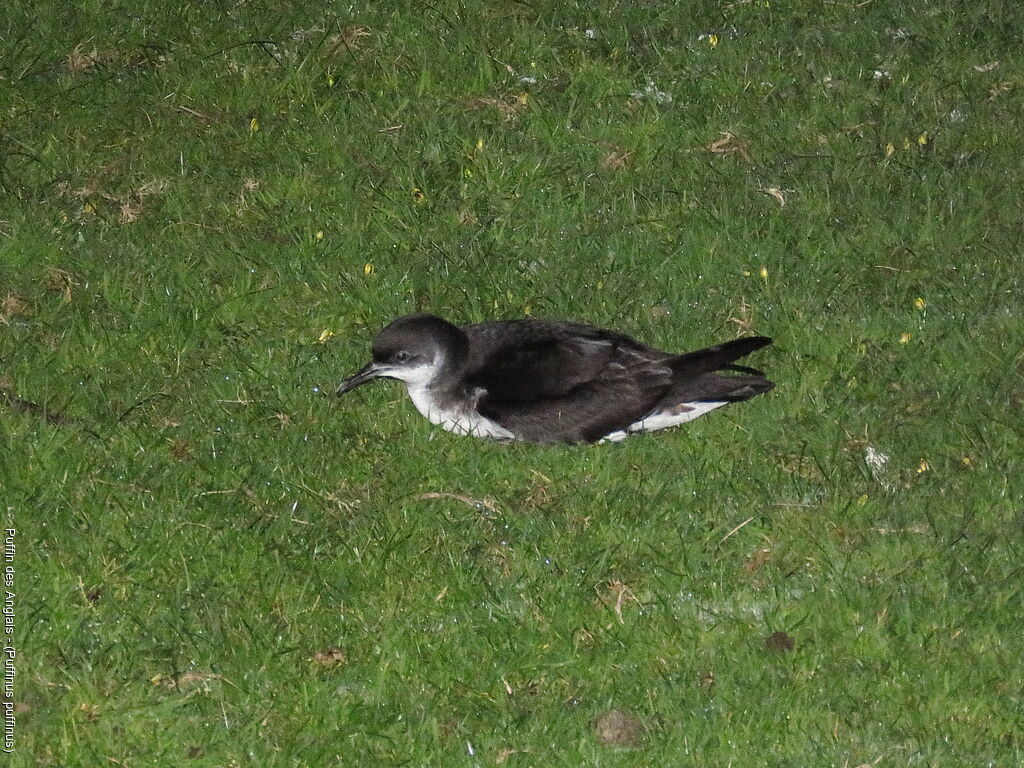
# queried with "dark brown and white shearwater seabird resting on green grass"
point(551, 381)
